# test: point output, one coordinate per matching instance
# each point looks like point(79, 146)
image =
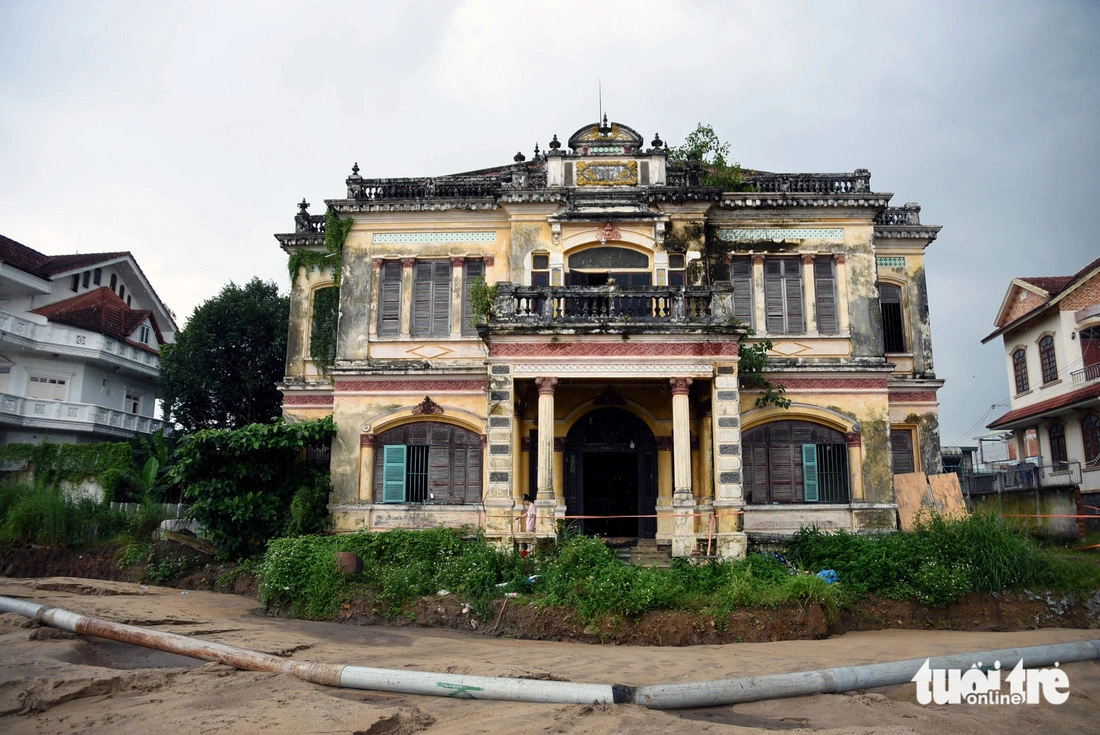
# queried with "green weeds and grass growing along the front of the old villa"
point(939, 563)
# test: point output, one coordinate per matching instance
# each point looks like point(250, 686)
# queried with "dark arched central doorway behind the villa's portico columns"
point(611, 470)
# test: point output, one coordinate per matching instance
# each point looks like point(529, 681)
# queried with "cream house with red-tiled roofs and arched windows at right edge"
point(1051, 327)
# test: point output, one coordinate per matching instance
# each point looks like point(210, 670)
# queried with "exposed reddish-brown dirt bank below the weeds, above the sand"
point(518, 619)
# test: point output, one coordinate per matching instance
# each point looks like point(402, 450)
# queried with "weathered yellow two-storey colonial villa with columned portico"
point(603, 380)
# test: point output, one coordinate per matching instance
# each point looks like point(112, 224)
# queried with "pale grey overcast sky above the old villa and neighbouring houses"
point(185, 133)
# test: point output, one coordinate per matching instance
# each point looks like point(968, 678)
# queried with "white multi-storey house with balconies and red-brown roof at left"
point(81, 341)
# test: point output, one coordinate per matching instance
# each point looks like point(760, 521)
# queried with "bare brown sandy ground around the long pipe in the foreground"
point(52, 683)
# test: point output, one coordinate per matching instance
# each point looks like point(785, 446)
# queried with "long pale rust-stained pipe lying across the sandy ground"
point(662, 697)
